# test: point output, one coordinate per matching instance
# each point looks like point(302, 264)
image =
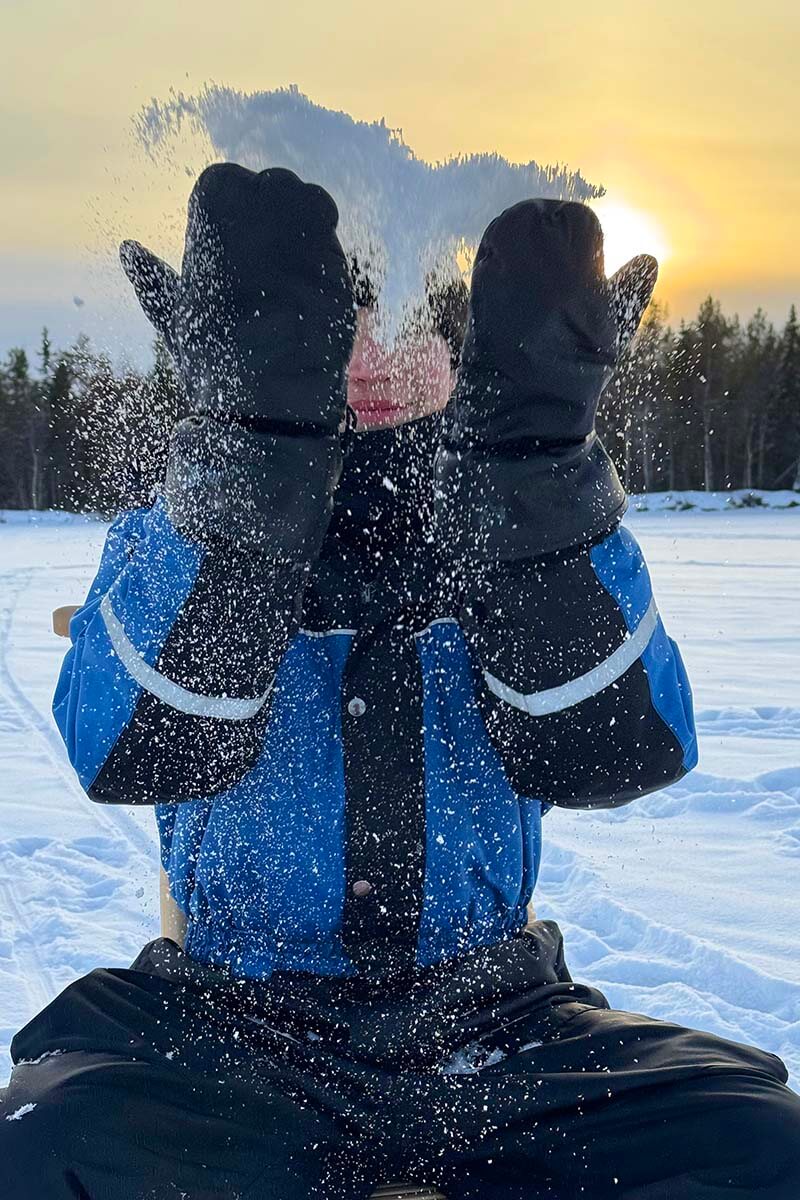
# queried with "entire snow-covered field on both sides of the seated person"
point(684, 905)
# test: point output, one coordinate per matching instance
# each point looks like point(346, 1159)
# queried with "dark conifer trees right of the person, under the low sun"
point(712, 406)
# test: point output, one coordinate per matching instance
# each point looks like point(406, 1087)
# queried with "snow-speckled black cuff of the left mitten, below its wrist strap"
point(270, 491)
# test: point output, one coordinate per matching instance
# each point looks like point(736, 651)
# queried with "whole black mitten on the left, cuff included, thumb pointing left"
point(261, 323)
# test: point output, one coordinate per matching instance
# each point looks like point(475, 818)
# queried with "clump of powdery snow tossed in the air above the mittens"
point(404, 220)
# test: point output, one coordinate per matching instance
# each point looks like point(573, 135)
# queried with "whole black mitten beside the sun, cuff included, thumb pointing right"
point(521, 471)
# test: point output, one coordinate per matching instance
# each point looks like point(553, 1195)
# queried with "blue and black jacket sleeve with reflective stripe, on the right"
point(585, 695)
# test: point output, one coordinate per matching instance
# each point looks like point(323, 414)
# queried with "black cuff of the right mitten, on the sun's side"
point(494, 506)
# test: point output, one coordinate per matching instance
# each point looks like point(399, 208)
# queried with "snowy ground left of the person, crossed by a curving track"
point(73, 874)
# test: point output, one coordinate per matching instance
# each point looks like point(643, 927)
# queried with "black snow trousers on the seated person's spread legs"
point(494, 1077)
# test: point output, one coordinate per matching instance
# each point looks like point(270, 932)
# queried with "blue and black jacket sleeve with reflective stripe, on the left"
point(166, 689)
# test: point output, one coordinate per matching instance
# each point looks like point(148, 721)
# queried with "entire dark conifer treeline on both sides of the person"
point(713, 405)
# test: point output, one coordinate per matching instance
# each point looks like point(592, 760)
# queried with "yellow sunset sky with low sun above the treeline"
point(688, 113)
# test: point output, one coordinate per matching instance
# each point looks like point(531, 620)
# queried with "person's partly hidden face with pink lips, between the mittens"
point(388, 388)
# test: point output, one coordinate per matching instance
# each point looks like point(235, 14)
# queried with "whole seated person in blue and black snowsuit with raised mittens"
point(351, 671)
